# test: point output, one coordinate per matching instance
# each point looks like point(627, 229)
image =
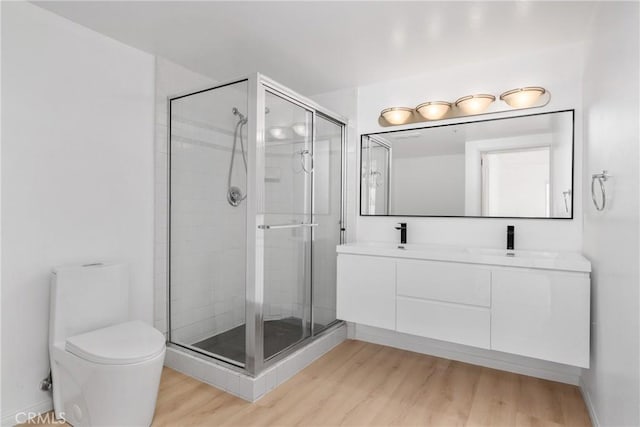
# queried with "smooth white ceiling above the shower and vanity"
point(316, 47)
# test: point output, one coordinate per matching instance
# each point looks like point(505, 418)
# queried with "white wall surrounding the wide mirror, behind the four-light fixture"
point(558, 70)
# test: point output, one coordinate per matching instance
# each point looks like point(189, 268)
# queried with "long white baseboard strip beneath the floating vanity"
point(462, 353)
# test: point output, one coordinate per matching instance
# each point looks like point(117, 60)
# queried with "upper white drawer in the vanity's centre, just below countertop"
point(444, 281)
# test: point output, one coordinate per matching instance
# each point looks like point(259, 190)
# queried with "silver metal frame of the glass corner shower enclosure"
point(258, 85)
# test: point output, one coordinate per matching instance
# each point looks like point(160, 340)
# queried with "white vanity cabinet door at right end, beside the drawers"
point(541, 314)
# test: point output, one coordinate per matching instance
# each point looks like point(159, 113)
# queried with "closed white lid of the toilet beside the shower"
point(120, 344)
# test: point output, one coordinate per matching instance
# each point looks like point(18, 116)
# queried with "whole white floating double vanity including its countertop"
point(534, 304)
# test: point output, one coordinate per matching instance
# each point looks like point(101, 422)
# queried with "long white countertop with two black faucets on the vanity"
point(567, 261)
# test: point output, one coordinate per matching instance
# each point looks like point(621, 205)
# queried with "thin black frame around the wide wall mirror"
point(573, 162)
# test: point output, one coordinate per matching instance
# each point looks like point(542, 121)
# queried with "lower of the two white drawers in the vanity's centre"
point(443, 321)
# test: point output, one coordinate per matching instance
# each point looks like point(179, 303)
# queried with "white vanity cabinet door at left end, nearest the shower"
point(367, 290)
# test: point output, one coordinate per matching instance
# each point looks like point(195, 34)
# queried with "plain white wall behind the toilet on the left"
point(77, 177)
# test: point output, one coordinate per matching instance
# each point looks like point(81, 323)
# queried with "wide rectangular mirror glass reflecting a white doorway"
point(515, 167)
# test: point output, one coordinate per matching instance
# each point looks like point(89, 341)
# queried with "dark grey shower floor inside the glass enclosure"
point(278, 335)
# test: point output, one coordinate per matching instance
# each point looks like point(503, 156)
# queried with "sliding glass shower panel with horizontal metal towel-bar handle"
point(287, 228)
